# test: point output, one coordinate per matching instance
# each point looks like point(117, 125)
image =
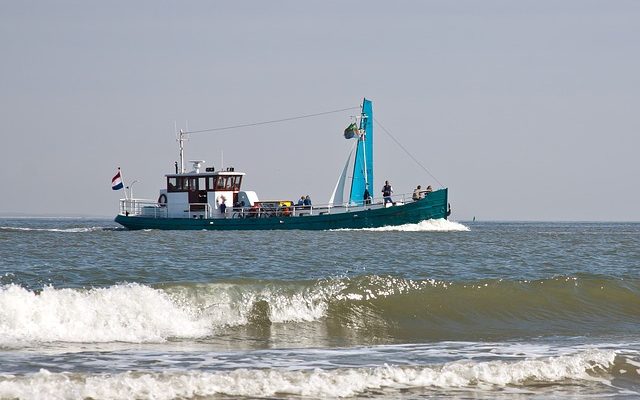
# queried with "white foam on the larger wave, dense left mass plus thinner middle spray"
point(137, 313)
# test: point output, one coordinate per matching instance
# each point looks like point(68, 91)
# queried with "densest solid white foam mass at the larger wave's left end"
point(132, 313)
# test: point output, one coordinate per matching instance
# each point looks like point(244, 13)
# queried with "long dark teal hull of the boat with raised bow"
point(434, 206)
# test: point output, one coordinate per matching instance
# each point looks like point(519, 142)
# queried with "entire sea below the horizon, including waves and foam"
point(436, 309)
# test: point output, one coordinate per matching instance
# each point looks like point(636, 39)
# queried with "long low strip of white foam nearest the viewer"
point(344, 382)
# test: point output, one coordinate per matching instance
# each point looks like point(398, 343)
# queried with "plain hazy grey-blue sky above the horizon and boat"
point(525, 110)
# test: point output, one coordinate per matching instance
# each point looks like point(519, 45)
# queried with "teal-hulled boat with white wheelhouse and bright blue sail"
point(209, 199)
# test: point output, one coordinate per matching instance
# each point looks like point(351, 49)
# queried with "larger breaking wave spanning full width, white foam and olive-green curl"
point(367, 308)
